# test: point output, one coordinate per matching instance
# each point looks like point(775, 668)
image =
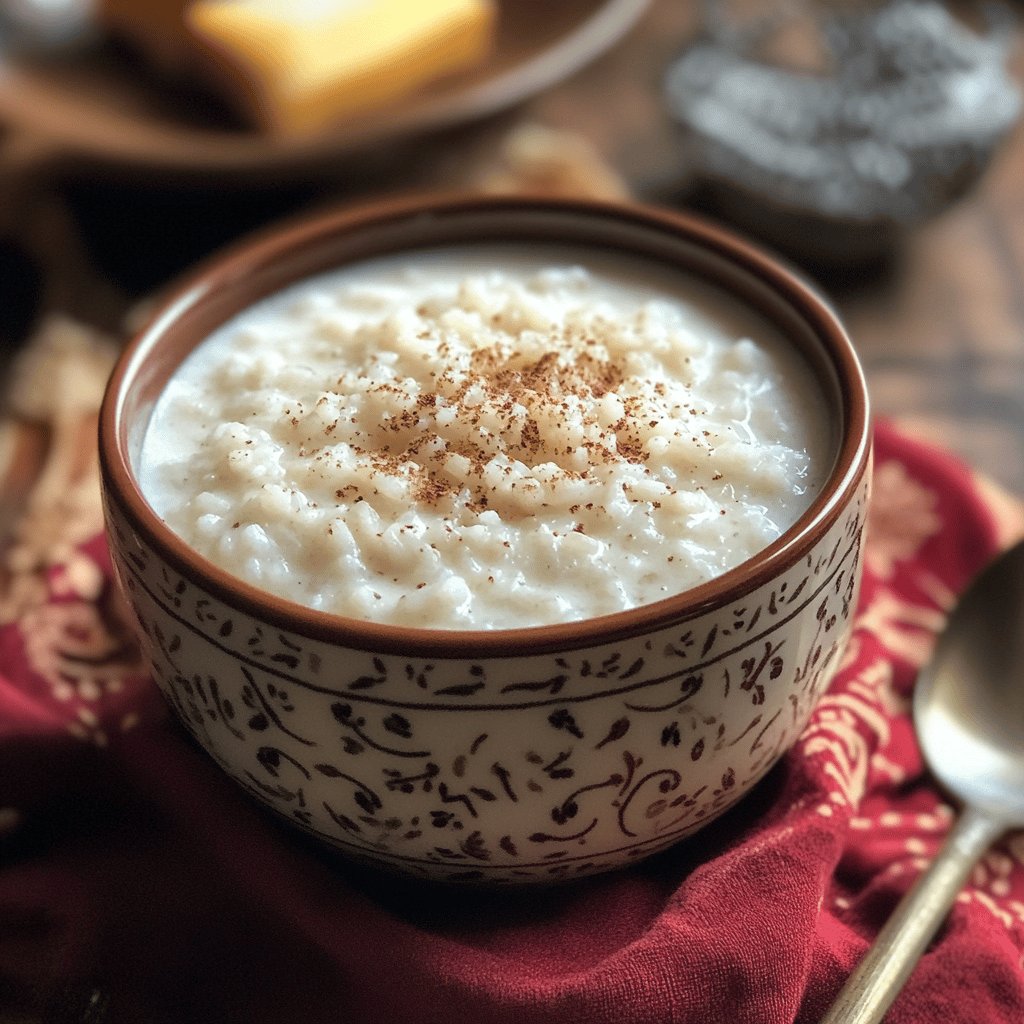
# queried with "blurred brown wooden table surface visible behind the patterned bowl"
point(940, 328)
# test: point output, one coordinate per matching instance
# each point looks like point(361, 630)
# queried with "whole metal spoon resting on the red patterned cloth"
point(969, 715)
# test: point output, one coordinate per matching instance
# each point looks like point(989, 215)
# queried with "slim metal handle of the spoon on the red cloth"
point(877, 980)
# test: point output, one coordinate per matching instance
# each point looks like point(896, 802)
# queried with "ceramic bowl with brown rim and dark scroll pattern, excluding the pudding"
point(505, 756)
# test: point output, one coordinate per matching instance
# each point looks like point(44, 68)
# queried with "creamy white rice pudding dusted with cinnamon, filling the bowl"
point(488, 438)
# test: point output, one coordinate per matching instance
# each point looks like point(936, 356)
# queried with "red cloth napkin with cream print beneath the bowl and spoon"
point(139, 885)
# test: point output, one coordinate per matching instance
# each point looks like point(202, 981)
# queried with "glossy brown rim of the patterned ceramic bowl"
point(262, 266)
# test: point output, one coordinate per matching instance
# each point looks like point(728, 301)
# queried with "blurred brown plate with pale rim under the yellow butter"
point(98, 107)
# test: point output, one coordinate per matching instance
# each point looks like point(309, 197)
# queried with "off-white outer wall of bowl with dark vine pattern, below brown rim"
point(502, 770)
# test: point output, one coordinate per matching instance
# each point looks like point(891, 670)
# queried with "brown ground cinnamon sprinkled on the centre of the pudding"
point(519, 409)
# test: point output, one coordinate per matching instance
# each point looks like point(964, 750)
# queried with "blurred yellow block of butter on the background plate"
point(304, 64)
